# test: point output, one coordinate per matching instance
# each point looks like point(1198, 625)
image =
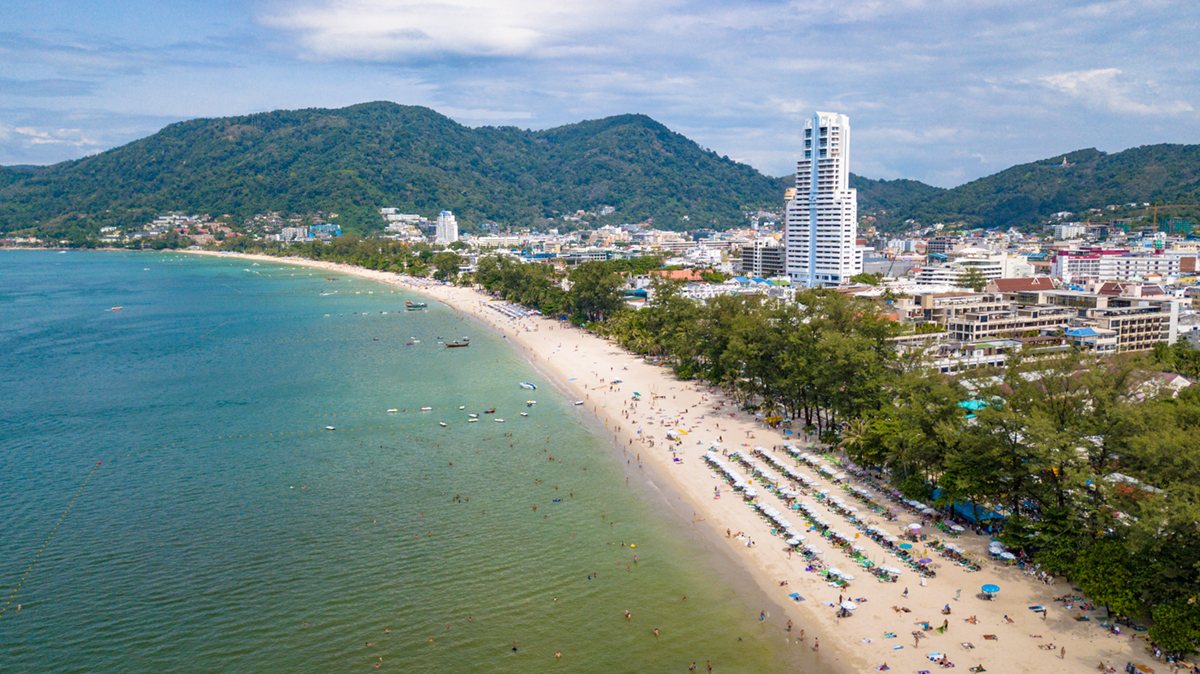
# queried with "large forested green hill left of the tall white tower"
point(353, 161)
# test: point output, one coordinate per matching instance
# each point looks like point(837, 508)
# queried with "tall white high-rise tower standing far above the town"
point(823, 219)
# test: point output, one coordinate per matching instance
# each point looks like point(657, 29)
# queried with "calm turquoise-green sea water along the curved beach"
point(209, 523)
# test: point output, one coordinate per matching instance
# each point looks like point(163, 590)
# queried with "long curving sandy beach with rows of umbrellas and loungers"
point(1006, 634)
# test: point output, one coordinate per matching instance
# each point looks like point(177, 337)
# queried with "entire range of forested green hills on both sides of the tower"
point(353, 161)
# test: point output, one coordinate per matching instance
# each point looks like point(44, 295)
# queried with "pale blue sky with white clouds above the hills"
point(943, 92)
